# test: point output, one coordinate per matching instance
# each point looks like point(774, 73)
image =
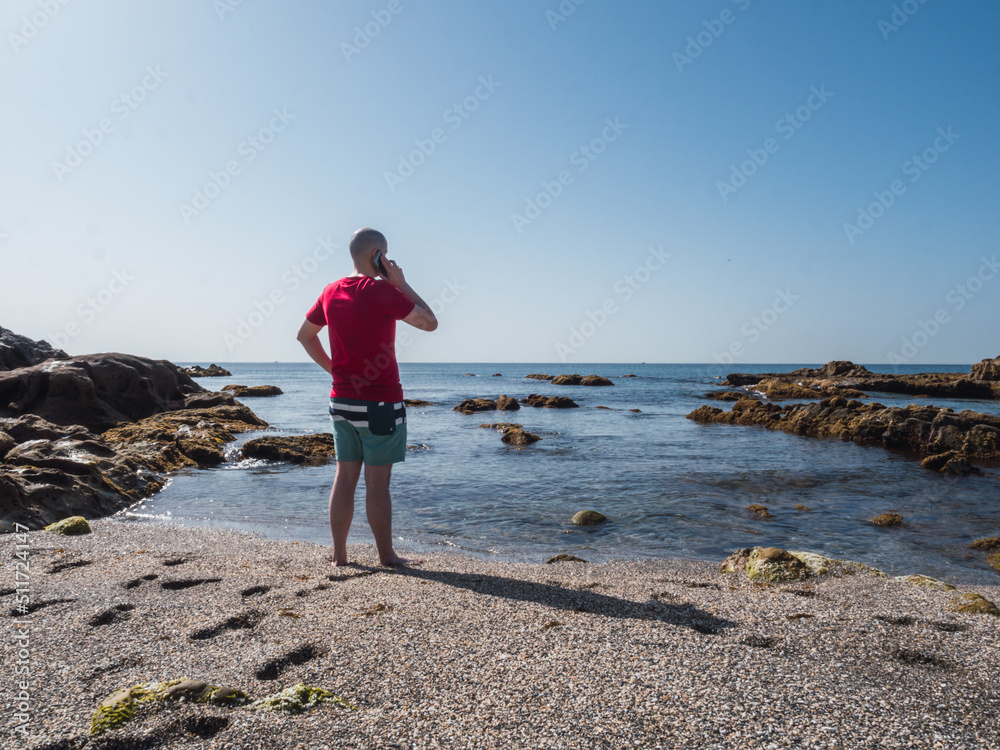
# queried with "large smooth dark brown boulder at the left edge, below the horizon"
point(97, 391)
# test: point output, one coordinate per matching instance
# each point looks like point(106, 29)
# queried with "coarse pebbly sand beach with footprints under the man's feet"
point(465, 653)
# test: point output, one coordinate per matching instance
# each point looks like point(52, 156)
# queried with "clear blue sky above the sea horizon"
point(579, 181)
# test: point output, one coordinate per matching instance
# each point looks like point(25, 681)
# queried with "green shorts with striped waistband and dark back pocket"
point(369, 431)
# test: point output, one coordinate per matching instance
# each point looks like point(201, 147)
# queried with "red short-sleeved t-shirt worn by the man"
point(361, 314)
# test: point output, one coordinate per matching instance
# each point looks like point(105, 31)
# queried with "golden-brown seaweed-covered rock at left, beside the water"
point(184, 438)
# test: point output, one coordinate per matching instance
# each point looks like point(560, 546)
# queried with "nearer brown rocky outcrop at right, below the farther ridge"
point(919, 430)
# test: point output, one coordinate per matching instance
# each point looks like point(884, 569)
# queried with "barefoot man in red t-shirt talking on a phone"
point(366, 401)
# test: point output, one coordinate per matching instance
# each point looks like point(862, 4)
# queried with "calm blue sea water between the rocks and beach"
point(670, 488)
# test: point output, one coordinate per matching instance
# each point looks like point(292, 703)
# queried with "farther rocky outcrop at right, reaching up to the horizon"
point(847, 375)
